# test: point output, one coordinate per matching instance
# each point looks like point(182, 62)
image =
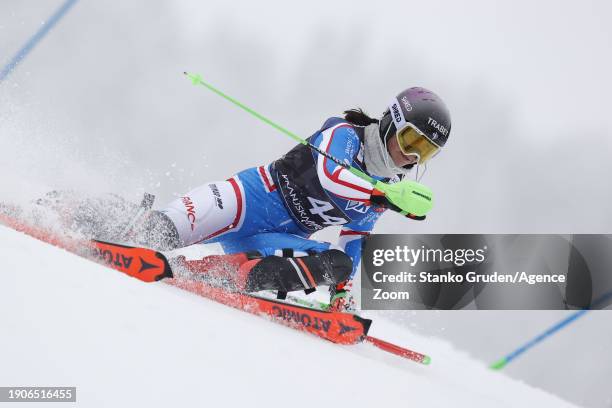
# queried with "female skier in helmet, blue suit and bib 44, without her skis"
point(265, 215)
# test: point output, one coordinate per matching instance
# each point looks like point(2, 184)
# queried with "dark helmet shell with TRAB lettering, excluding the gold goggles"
point(420, 108)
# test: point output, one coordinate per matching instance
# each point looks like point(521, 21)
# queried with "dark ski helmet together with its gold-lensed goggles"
point(420, 120)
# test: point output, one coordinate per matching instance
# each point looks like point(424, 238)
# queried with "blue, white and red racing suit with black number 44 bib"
point(280, 205)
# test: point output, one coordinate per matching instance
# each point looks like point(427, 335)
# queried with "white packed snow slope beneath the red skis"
point(69, 322)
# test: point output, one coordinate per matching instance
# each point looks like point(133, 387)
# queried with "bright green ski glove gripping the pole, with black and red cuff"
point(407, 197)
